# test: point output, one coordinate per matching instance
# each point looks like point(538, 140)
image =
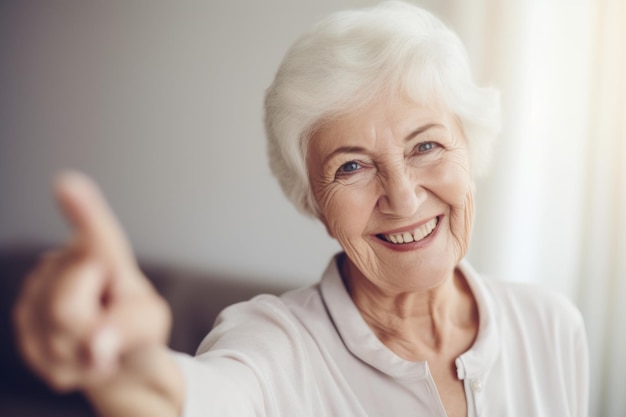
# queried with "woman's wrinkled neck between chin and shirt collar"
point(417, 324)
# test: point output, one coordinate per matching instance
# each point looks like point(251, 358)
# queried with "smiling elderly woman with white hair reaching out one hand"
point(375, 128)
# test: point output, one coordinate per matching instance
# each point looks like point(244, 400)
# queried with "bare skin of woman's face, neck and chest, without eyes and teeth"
point(416, 302)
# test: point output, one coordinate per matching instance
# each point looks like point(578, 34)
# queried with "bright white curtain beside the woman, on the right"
point(553, 210)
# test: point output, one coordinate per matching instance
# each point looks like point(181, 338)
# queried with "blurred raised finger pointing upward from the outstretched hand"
point(93, 221)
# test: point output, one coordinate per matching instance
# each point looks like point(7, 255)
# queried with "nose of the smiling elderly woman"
point(401, 195)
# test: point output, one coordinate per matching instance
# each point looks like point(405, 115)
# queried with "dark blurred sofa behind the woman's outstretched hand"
point(196, 297)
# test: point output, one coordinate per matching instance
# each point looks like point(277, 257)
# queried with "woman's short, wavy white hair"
point(351, 58)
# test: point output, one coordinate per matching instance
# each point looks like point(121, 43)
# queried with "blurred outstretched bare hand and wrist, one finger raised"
point(87, 319)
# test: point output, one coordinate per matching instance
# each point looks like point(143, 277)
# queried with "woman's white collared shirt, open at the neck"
point(310, 353)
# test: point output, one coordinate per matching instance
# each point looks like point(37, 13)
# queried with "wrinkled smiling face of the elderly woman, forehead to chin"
point(393, 185)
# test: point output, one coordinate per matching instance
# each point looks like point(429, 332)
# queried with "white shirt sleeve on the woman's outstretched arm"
point(254, 363)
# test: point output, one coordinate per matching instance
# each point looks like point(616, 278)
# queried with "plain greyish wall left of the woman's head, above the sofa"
point(161, 102)
